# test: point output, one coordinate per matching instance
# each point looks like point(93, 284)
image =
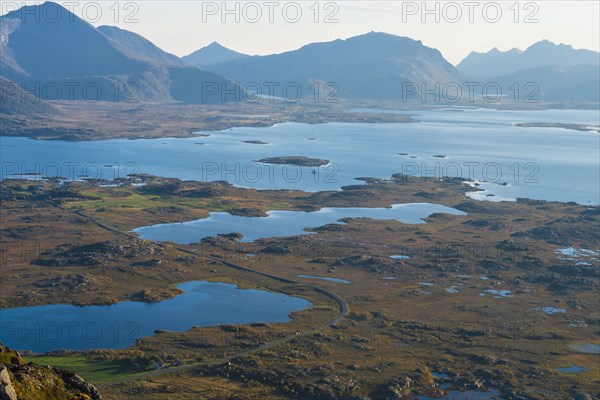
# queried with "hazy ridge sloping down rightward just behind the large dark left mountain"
point(137, 46)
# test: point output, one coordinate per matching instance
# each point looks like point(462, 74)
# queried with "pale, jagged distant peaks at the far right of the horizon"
point(543, 53)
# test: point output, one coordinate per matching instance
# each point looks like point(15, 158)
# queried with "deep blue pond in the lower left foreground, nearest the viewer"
point(62, 326)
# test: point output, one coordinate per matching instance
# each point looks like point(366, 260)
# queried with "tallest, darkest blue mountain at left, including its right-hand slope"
point(63, 57)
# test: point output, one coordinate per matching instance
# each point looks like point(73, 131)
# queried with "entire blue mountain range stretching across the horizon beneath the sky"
point(49, 59)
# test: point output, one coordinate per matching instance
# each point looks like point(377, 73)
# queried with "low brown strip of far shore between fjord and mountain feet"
point(143, 121)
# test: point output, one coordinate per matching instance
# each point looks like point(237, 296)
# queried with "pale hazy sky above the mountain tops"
point(266, 27)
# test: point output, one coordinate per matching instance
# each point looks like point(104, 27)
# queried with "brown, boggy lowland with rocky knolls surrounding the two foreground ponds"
point(464, 310)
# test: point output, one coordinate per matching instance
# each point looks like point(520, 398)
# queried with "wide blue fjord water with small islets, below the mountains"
point(538, 163)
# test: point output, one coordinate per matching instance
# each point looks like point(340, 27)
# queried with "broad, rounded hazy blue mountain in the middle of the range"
point(370, 66)
